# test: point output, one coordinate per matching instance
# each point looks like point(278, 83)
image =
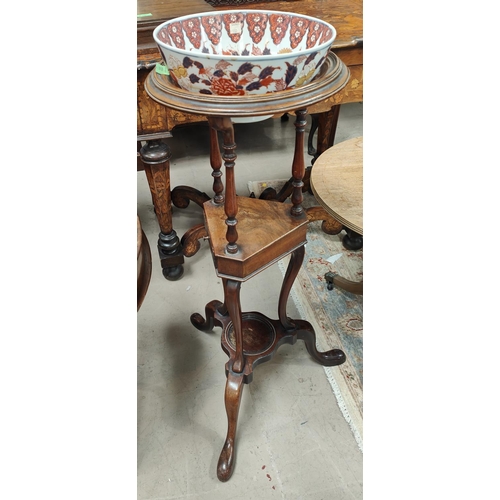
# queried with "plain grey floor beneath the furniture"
point(292, 440)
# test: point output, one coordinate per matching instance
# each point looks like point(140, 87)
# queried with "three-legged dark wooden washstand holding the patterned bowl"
point(247, 235)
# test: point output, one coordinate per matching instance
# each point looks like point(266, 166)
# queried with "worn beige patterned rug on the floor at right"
point(336, 316)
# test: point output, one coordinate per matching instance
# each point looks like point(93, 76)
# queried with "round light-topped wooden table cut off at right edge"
point(337, 184)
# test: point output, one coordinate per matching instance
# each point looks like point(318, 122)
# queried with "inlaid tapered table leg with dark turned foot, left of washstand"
point(156, 157)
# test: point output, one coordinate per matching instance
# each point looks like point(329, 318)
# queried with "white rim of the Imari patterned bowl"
point(225, 57)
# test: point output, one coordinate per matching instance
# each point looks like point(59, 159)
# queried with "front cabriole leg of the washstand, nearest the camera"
point(232, 399)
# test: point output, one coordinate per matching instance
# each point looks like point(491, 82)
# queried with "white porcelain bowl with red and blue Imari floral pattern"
point(243, 52)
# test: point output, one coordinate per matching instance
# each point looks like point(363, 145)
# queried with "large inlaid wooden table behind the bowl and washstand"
point(156, 122)
